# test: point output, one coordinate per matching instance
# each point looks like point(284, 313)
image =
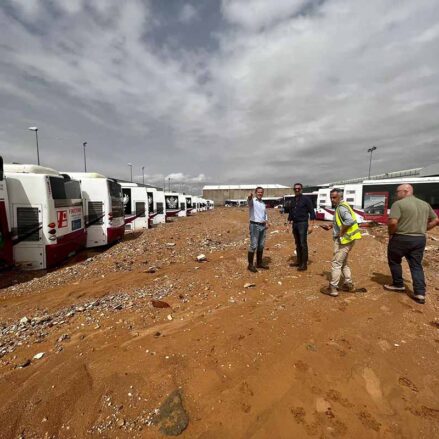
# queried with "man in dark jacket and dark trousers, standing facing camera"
point(301, 211)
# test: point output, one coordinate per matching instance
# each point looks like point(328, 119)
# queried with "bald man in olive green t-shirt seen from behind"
point(409, 220)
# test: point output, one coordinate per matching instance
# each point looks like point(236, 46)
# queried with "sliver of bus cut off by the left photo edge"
point(6, 251)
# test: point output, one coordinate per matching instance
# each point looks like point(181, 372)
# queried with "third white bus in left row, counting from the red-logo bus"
point(135, 201)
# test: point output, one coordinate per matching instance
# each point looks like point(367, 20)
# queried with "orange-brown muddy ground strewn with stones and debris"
point(276, 360)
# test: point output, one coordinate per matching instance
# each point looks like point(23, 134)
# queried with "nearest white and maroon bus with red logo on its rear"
point(46, 216)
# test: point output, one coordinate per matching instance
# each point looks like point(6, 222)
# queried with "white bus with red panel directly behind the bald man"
point(379, 195)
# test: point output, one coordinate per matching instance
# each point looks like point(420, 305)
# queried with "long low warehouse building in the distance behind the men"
point(222, 193)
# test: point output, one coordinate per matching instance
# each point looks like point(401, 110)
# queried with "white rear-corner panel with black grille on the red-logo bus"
point(27, 235)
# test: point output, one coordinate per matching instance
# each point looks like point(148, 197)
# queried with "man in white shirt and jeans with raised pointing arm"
point(258, 225)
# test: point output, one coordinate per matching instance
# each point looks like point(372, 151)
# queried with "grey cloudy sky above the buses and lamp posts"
point(211, 91)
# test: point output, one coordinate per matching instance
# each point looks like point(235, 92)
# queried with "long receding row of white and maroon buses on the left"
point(47, 216)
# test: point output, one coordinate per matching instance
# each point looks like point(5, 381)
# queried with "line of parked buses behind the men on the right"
point(371, 200)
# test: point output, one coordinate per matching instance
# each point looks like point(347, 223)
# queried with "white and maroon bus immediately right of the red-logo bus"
point(103, 208)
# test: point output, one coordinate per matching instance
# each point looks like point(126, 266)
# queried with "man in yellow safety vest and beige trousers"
point(346, 232)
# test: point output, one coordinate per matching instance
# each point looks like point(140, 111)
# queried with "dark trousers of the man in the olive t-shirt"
point(412, 248)
